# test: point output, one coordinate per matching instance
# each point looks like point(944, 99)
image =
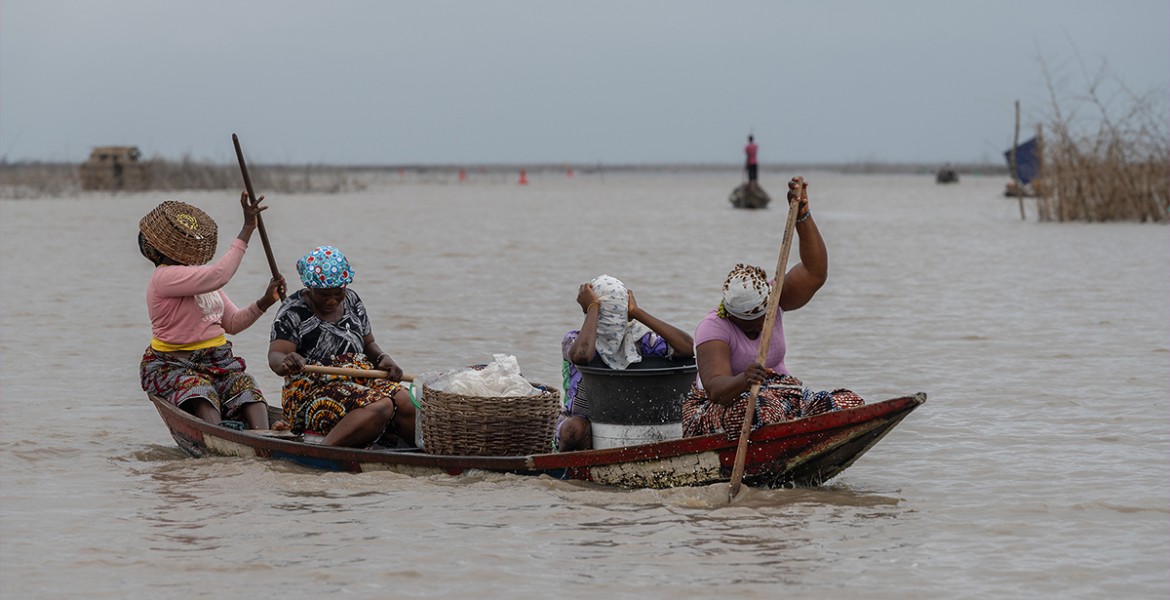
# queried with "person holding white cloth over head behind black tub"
point(621, 333)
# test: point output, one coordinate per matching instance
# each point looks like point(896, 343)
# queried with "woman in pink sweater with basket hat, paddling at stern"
point(190, 361)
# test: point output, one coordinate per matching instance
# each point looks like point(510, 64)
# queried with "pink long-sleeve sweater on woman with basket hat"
point(188, 305)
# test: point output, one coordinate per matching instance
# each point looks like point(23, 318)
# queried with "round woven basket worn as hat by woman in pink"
point(182, 232)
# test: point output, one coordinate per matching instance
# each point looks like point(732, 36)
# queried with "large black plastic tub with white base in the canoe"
point(642, 404)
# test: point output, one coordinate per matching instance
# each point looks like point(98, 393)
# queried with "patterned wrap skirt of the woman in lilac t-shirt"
point(781, 399)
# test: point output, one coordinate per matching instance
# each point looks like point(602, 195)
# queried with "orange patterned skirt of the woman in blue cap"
point(316, 404)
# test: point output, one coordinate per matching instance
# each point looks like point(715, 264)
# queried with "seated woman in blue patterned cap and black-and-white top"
point(327, 325)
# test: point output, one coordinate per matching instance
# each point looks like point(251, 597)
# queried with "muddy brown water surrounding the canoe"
point(1037, 470)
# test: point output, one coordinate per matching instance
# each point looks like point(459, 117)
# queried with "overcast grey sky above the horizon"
point(474, 82)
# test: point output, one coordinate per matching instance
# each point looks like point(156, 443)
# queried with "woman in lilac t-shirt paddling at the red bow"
point(727, 344)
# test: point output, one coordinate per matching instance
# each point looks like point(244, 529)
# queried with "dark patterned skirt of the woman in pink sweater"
point(212, 374)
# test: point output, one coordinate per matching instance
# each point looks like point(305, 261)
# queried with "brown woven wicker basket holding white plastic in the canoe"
point(497, 426)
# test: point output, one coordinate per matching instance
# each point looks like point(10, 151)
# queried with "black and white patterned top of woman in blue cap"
point(320, 341)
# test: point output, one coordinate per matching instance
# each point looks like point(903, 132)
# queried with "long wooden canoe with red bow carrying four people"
point(806, 452)
